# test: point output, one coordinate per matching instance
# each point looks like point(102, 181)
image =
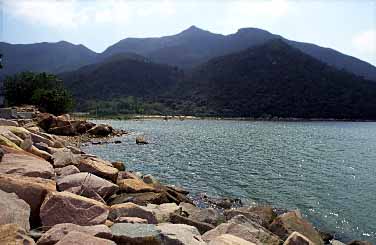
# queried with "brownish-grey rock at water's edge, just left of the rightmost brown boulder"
point(262, 215)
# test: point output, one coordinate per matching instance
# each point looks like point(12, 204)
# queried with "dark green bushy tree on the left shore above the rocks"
point(41, 89)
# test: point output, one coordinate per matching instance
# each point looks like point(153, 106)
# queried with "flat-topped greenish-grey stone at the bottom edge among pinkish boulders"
point(136, 234)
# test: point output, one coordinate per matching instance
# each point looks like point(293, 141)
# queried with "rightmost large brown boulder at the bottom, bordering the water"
point(289, 222)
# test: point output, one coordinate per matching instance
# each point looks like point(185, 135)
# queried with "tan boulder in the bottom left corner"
point(13, 234)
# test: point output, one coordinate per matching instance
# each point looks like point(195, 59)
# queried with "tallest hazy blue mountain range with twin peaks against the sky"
point(195, 46)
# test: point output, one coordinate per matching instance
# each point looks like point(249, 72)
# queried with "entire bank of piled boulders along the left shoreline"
point(53, 193)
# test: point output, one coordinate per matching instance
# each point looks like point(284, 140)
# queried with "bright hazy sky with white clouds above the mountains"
point(345, 25)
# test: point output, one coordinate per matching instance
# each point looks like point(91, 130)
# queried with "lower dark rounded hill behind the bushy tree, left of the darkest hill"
point(121, 75)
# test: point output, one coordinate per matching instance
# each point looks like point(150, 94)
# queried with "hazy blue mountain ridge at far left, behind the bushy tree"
point(44, 57)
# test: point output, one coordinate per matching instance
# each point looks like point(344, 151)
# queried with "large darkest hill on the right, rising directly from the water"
point(276, 79)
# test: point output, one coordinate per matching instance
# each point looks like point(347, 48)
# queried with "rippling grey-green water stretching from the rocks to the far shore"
point(326, 169)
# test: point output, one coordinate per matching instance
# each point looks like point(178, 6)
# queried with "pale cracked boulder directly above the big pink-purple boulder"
point(76, 183)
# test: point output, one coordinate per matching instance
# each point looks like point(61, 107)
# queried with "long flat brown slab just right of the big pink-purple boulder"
point(140, 198)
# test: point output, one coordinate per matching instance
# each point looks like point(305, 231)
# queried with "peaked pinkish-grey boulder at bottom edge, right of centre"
point(244, 228)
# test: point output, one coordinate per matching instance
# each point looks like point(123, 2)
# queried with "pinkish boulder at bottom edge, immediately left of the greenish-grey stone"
point(57, 232)
